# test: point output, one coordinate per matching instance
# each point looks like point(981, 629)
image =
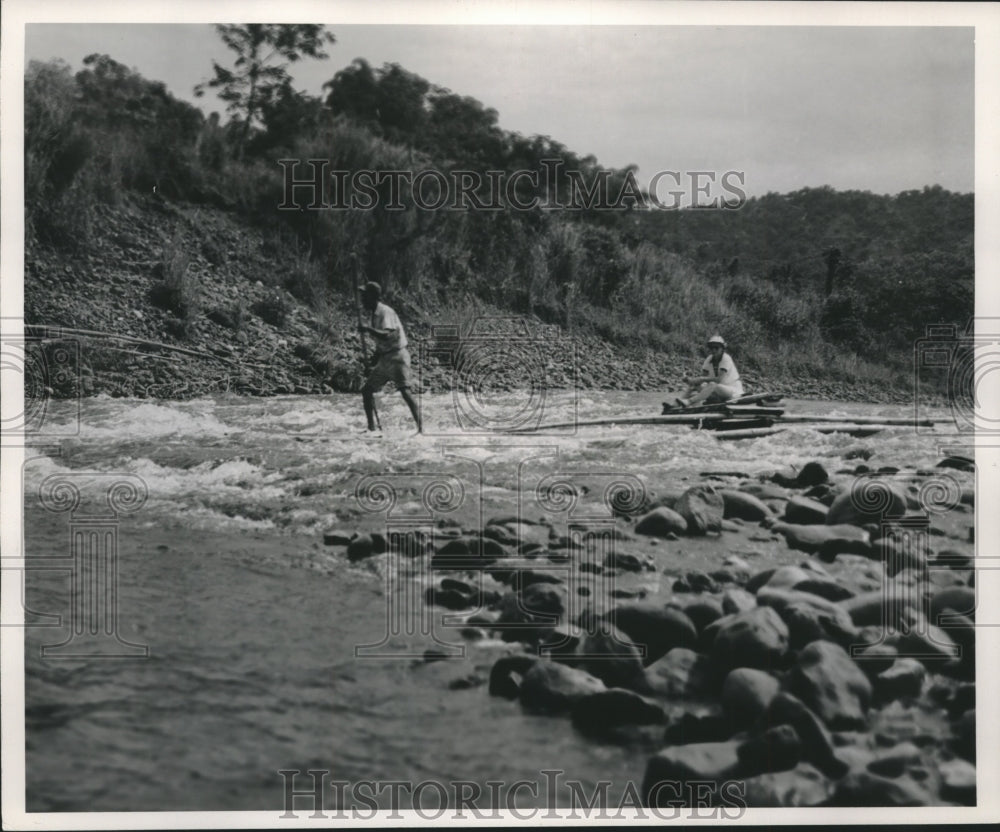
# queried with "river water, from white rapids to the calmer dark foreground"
point(251, 623)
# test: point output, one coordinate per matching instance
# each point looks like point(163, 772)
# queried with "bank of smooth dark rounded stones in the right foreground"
point(815, 646)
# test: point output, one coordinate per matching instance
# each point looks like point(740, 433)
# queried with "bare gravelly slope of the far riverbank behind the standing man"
point(175, 301)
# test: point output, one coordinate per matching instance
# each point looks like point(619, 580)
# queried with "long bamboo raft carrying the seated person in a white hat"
point(749, 417)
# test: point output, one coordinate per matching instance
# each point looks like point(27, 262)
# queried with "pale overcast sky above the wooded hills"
point(869, 108)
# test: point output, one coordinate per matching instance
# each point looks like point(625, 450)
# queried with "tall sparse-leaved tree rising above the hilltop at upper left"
point(259, 73)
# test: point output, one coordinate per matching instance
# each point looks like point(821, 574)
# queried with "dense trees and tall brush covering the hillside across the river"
point(815, 281)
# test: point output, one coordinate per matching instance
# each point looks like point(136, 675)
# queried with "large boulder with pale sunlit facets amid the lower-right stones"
point(828, 682)
